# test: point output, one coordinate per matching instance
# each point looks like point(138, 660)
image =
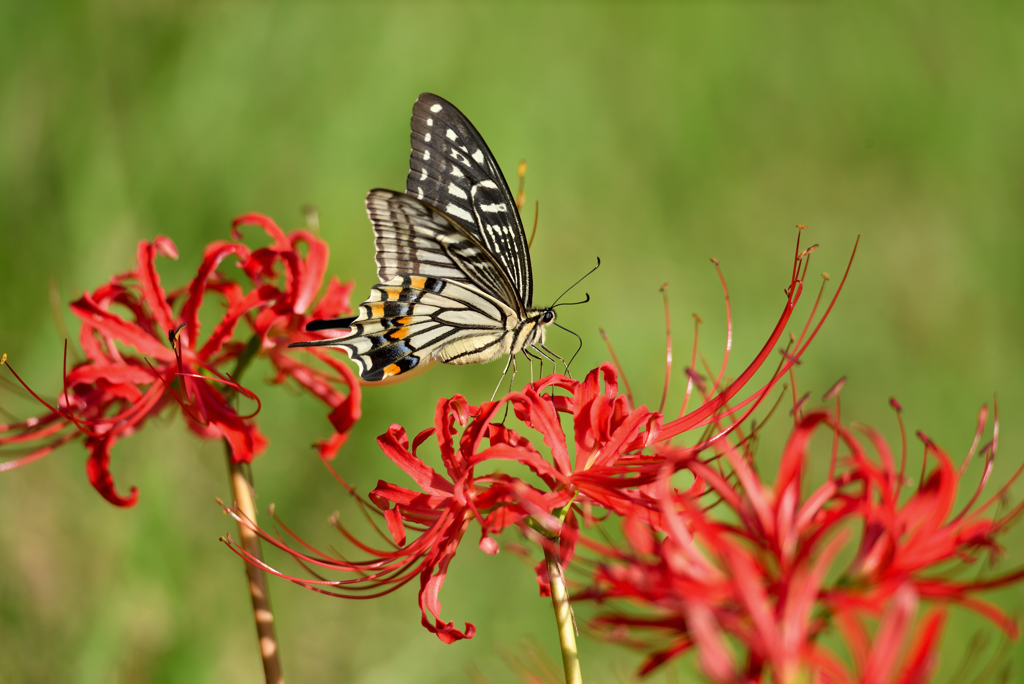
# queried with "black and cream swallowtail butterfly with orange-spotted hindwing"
point(456, 281)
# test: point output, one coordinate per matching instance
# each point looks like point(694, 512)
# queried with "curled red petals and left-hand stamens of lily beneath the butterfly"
point(443, 506)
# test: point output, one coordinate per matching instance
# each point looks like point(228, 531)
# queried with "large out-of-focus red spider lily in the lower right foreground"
point(760, 566)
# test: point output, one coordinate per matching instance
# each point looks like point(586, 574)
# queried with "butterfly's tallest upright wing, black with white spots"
point(452, 170)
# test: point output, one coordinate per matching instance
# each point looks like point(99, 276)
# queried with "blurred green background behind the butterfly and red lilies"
point(658, 136)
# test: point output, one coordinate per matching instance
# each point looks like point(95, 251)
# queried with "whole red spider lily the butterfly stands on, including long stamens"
point(612, 463)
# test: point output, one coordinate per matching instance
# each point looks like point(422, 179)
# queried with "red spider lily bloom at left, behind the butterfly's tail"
point(145, 351)
